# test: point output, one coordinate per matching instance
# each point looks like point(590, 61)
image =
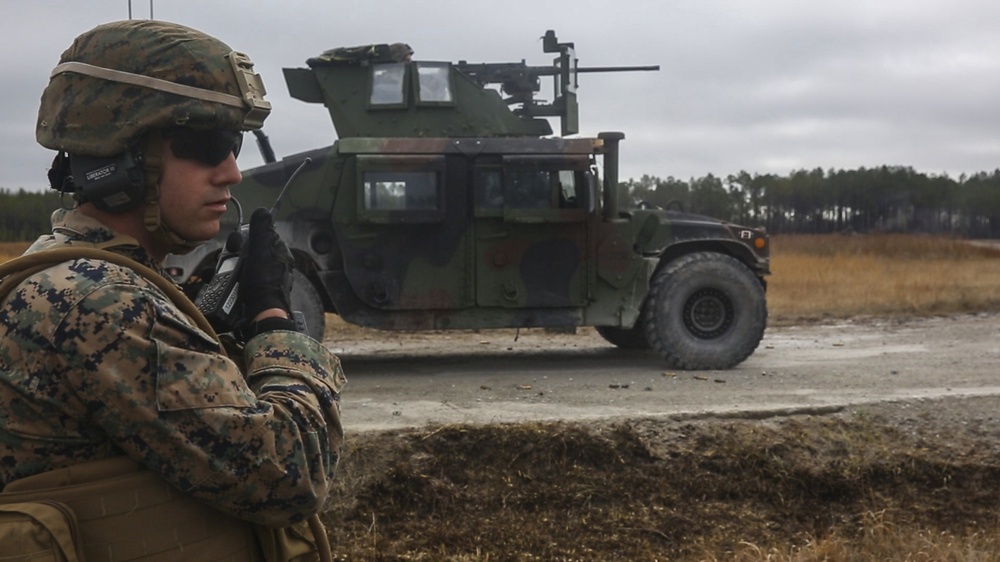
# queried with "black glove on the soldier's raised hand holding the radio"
point(266, 279)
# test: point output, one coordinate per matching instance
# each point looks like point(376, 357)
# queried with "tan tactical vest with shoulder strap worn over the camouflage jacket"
point(113, 510)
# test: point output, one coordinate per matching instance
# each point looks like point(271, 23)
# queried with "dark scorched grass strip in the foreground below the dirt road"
point(664, 489)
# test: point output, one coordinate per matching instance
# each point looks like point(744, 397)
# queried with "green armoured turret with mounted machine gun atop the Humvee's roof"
point(373, 91)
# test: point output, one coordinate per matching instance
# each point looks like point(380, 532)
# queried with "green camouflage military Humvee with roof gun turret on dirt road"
point(447, 203)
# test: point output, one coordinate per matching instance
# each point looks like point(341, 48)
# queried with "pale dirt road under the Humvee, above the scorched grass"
point(409, 380)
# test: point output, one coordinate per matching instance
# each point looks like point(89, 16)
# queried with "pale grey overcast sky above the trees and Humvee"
point(766, 86)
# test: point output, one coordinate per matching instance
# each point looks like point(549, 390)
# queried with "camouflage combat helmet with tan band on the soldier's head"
point(121, 79)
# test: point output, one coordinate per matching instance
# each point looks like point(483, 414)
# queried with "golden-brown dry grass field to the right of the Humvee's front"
point(837, 276)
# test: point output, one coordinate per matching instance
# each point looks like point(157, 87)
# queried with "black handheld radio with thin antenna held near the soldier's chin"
point(220, 300)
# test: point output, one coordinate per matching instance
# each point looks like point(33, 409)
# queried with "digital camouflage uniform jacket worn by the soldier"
point(96, 362)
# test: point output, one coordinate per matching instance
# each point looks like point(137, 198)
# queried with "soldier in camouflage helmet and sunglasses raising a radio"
point(97, 361)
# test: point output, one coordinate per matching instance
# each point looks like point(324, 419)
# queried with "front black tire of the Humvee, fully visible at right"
point(705, 311)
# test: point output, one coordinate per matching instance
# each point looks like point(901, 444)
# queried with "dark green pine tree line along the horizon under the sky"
point(882, 199)
